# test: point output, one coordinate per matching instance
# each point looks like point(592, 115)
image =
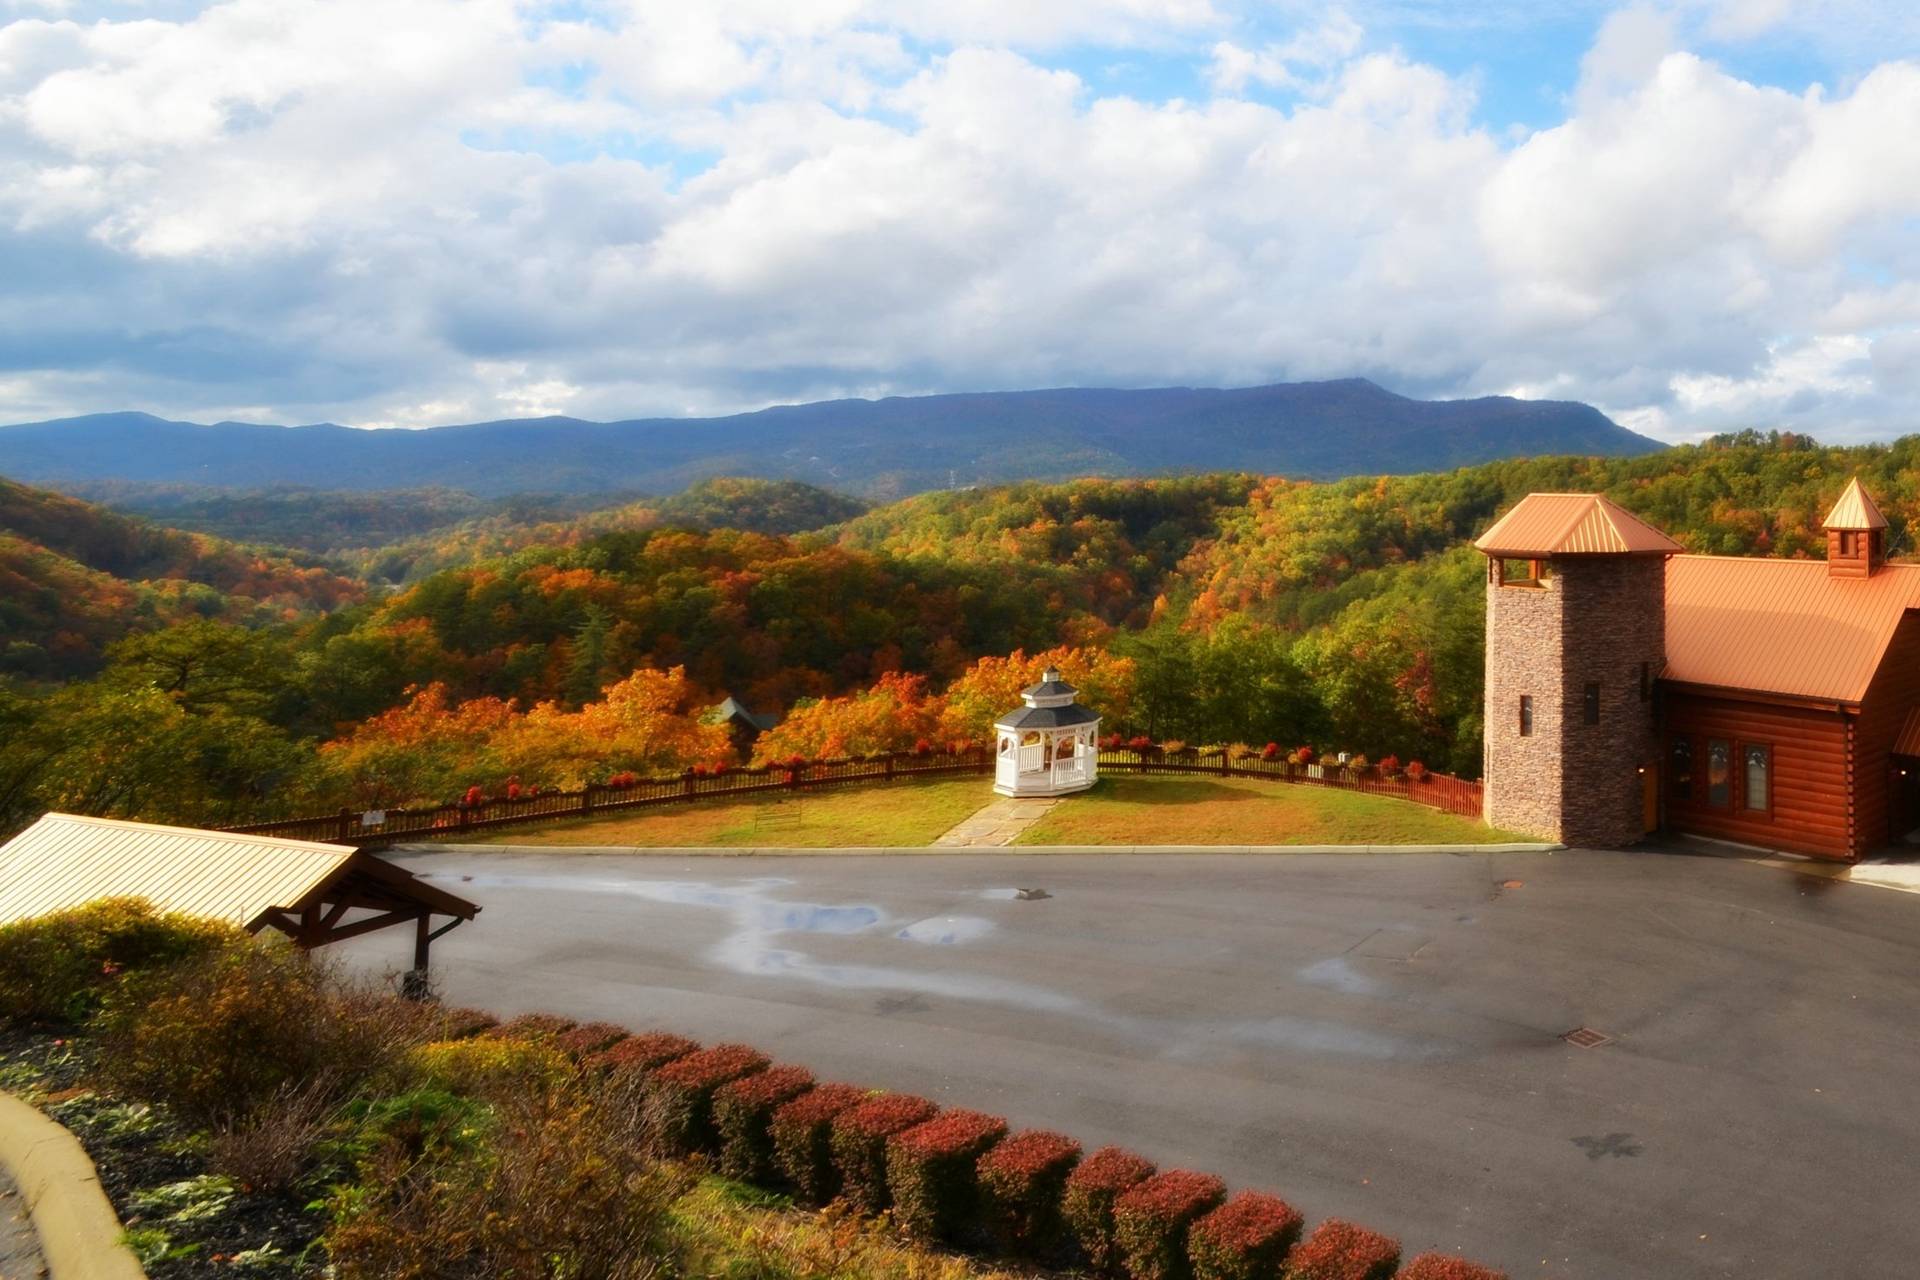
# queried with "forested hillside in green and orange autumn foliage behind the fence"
point(1218, 609)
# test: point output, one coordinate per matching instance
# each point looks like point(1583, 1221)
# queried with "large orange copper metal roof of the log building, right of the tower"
point(1783, 627)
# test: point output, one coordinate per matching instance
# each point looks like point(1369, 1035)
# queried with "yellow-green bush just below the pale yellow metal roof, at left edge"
point(59, 968)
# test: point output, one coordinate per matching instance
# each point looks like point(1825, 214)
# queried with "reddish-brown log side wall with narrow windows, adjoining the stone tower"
point(1810, 805)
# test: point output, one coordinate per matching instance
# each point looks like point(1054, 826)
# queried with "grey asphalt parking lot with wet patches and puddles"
point(1374, 1037)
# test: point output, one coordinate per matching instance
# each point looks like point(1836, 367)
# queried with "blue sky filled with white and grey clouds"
point(1698, 216)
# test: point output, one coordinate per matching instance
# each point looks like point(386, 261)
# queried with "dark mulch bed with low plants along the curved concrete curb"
point(141, 1150)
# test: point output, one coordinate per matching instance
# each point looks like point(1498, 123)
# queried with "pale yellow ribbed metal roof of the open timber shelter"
point(66, 861)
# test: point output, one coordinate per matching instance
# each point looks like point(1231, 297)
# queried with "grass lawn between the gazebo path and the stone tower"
point(1241, 811)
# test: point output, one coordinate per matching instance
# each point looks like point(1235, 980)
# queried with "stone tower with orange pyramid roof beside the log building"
point(1575, 640)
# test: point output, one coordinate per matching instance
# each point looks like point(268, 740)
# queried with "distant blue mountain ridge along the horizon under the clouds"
point(880, 450)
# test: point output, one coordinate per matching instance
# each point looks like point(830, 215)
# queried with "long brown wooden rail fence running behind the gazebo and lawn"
point(454, 820)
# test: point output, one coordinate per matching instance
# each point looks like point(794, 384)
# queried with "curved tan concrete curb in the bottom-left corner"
point(78, 1227)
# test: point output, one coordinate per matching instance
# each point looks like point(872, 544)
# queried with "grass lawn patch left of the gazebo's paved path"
point(861, 817)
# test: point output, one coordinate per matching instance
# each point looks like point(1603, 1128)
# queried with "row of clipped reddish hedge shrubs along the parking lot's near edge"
point(959, 1177)
